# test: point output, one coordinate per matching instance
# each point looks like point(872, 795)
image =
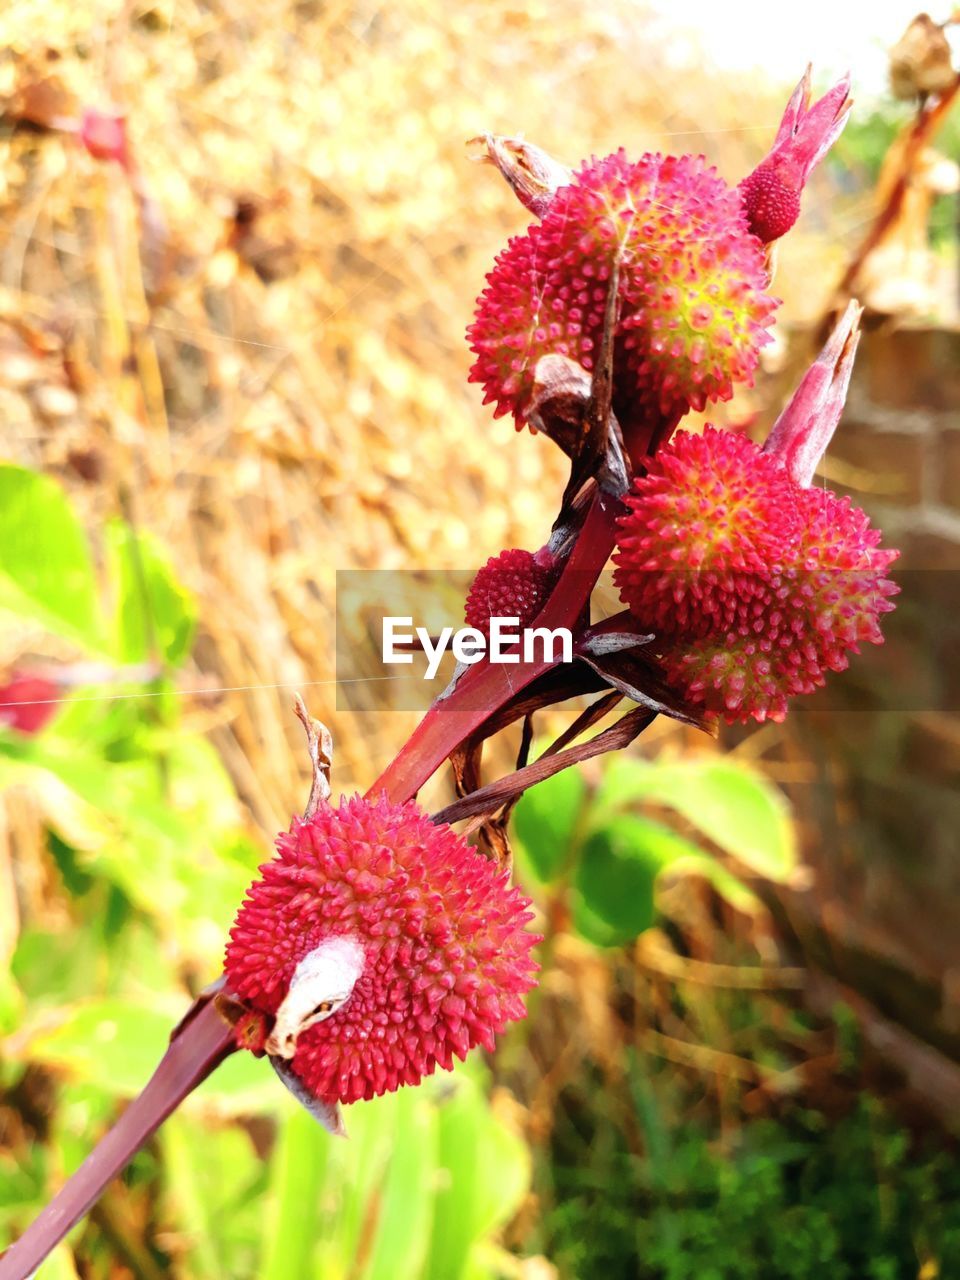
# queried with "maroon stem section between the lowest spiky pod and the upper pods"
point(484, 689)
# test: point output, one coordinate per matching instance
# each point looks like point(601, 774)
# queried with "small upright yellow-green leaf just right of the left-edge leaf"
point(153, 610)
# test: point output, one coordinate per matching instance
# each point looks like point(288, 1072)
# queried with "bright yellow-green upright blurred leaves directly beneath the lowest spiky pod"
point(417, 1194)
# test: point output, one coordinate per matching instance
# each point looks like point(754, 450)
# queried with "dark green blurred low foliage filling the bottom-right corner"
point(802, 1197)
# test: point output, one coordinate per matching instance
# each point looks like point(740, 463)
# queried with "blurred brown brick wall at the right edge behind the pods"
point(880, 806)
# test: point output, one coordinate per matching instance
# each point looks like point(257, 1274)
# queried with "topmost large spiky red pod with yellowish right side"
point(693, 309)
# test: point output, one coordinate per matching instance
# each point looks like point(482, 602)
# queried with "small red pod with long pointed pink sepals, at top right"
point(772, 193)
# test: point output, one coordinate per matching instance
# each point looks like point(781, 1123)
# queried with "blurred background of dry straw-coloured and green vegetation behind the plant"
point(220, 386)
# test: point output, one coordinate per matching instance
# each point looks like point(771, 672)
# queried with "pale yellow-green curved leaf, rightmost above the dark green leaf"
point(734, 806)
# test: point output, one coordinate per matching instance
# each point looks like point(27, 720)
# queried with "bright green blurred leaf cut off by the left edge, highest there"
point(47, 573)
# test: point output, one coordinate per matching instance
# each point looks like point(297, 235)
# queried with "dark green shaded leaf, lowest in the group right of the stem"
point(616, 875)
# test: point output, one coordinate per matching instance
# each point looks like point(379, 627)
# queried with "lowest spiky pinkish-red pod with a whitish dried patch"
point(446, 952)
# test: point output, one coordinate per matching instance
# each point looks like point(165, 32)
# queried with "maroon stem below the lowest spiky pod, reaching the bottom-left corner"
point(196, 1050)
